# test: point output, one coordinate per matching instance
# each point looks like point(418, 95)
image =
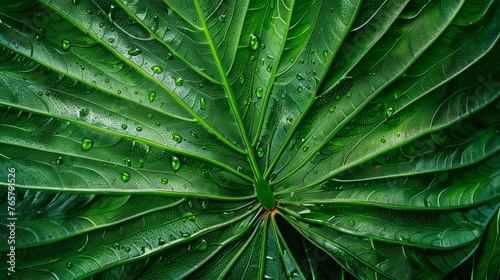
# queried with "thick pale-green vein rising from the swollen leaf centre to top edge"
point(262, 186)
